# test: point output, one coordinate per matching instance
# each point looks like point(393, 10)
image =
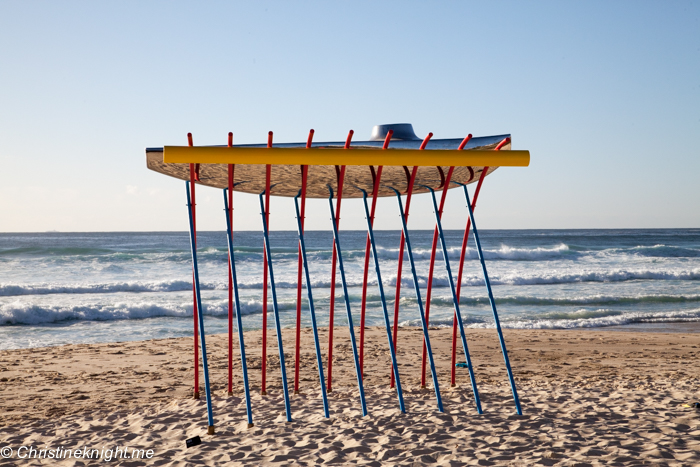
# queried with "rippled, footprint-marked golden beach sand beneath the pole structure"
point(588, 397)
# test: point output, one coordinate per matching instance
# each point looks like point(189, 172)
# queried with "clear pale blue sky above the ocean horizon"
point(605, 96)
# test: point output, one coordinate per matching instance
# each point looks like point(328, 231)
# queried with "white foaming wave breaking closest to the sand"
point(15, 313)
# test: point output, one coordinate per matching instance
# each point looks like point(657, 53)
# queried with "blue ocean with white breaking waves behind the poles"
point(60, 288)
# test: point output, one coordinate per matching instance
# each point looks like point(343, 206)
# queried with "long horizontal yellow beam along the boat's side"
point(340, 156)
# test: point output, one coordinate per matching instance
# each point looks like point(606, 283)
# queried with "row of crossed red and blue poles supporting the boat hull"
point(337, 263)
